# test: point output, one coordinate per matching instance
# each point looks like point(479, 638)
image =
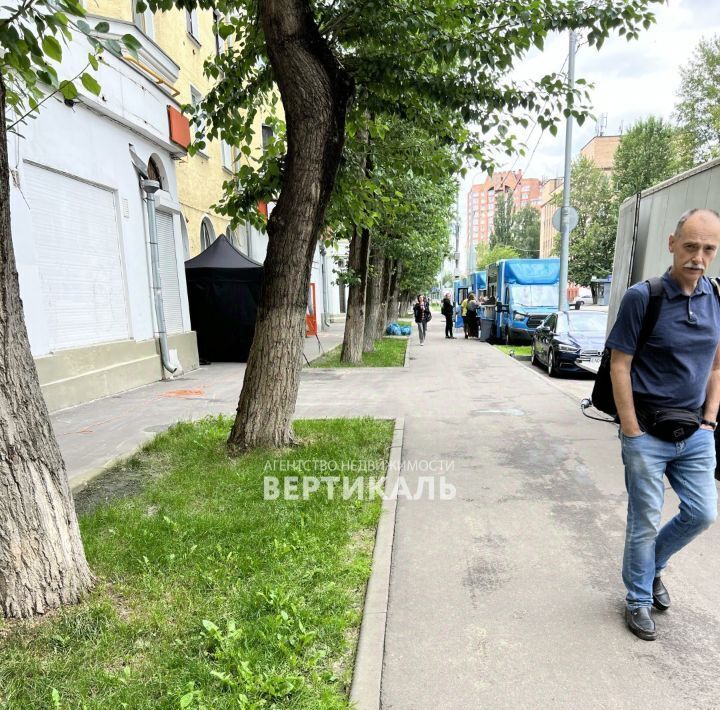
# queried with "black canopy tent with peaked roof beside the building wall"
point(223, 292)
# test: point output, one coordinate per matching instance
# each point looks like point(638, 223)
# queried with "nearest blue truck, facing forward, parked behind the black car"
point(521, 294)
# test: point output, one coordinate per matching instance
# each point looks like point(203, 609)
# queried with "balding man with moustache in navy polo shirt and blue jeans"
point(667, 393)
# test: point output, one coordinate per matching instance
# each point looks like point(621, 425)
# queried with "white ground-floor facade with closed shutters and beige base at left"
point(81, 231)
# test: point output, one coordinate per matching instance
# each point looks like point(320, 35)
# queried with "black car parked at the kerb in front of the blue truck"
point(564, 339)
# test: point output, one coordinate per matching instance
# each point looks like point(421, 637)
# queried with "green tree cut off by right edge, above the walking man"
point(698, 107)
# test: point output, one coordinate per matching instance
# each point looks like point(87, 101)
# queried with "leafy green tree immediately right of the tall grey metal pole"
point(592, 242)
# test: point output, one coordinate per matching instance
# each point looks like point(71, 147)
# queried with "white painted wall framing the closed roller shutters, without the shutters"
point(89, 142)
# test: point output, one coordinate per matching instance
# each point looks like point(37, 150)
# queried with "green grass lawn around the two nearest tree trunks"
point(208, 596)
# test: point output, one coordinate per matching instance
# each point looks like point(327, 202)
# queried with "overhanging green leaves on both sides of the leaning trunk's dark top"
point(441, 64)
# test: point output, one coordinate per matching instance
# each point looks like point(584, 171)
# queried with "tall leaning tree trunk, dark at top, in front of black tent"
point(315, 92)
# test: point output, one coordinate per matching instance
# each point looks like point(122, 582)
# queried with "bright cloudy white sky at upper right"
point(632, 80)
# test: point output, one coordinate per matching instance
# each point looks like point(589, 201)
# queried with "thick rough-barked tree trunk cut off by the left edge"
point(42, 562)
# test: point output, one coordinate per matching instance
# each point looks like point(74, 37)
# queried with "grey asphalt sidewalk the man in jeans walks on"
point(507, 597)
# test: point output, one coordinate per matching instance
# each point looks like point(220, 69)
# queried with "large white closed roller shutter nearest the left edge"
point(77, 245)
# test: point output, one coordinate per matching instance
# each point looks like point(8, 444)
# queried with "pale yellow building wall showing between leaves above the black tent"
point(189, 38)
